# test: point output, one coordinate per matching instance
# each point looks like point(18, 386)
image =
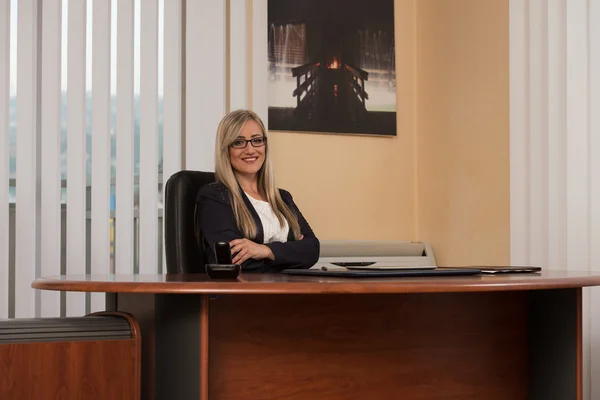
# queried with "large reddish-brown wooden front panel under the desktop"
point(375, 347)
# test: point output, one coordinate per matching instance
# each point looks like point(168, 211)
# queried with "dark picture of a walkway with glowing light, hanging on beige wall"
point(332, 66)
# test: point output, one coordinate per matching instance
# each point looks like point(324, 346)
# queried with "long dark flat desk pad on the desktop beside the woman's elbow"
point(397, 273)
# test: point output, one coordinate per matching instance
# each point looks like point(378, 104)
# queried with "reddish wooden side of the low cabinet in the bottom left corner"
point(70, 370)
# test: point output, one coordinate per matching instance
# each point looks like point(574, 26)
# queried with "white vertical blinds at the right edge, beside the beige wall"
point(555, 148)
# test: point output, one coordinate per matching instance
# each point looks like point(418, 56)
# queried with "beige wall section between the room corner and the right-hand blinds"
point(463, 130)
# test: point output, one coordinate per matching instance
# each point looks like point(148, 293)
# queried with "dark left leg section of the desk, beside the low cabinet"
point(174, 331)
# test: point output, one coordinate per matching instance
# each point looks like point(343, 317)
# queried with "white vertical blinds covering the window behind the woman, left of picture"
point(94, 119)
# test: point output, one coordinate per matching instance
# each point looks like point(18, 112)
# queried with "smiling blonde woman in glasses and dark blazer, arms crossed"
point(263, 225)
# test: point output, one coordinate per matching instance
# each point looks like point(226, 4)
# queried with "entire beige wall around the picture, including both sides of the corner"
point(444, 178)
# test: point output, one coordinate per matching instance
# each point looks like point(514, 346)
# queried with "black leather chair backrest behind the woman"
point(182, 250)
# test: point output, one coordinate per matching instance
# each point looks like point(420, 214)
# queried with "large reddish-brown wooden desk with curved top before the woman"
point(282, 337)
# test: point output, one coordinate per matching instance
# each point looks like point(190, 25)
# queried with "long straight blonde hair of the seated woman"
point(227, 132)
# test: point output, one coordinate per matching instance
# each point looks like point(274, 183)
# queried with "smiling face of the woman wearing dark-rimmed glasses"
point(245, 158)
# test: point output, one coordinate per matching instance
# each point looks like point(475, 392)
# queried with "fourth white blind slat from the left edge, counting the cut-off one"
point(76, 149)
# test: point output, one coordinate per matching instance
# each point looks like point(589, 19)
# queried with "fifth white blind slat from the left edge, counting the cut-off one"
point(100, 215)
